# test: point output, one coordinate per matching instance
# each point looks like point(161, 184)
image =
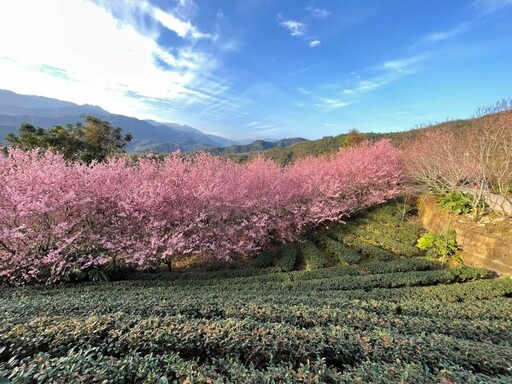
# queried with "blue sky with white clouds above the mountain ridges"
point(247, 69)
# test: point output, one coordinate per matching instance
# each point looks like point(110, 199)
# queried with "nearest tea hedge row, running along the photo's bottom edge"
point(89, 366)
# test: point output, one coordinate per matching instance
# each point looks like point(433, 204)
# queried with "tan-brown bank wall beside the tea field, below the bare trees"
point(485, 244)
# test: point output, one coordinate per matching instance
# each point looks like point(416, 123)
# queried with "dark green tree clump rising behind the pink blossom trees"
point(95, 140)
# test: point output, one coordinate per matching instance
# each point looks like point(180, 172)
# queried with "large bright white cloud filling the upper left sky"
point(86, 55)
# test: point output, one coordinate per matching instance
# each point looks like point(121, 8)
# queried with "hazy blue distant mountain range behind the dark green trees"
point(148, 135)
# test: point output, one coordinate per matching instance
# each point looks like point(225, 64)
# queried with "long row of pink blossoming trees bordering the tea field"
point(58, 218)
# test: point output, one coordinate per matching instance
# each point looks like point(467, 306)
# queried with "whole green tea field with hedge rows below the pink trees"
point(351, 314)
